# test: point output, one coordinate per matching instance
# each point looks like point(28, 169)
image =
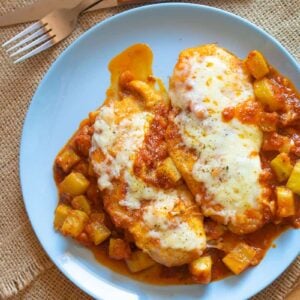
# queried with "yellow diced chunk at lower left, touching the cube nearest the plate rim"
point(74, 223)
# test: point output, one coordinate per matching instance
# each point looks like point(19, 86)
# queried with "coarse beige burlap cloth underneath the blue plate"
point(25, 270)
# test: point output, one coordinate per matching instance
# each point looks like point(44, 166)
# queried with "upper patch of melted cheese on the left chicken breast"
point(119, 143)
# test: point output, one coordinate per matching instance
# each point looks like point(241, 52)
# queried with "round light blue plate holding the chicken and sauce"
point(76, 84)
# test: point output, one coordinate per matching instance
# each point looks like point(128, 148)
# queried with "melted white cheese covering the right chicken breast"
point(228, 164)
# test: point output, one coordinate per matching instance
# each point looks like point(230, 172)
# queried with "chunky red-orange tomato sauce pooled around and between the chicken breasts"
point(277, 127)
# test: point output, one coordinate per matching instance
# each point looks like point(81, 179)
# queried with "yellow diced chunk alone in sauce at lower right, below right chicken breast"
point(239, 258)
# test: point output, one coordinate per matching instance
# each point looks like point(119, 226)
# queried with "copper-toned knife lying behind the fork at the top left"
point(41, 8)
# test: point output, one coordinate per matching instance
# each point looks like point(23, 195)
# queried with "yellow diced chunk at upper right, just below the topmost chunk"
point(264, 93)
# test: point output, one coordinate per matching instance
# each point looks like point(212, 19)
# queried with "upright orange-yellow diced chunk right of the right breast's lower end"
point(285, 202)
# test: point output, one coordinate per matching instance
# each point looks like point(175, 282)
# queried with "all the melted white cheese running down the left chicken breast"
point(120, 142)
